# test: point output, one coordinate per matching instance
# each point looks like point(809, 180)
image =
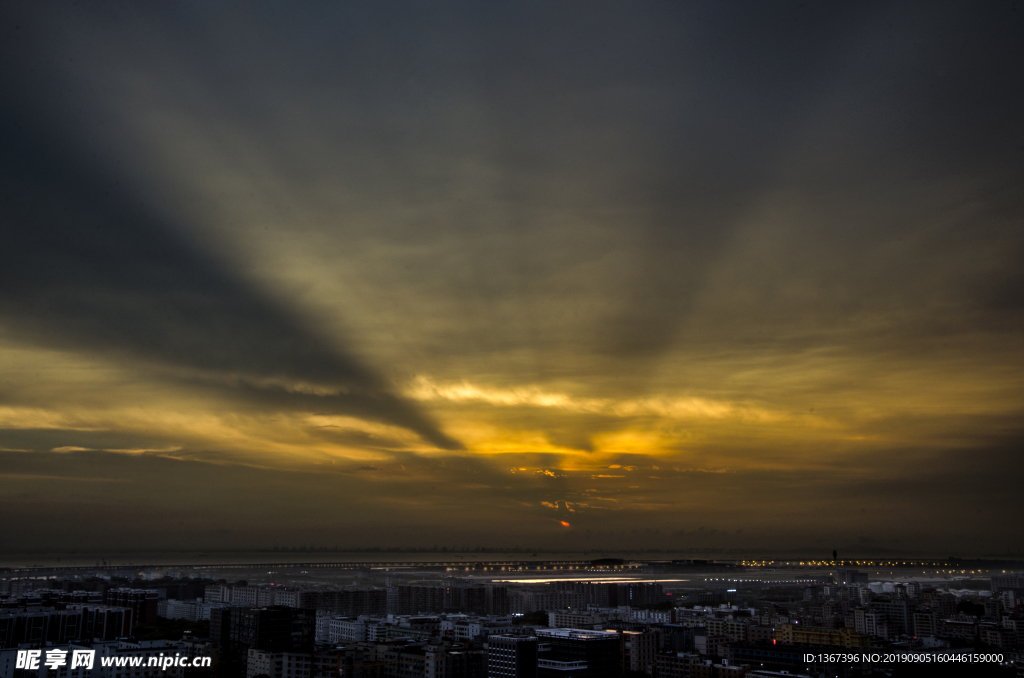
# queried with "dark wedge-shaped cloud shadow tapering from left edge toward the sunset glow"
point(87, 267)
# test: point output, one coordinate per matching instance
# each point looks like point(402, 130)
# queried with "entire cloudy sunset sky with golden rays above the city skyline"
point(550, 275)
